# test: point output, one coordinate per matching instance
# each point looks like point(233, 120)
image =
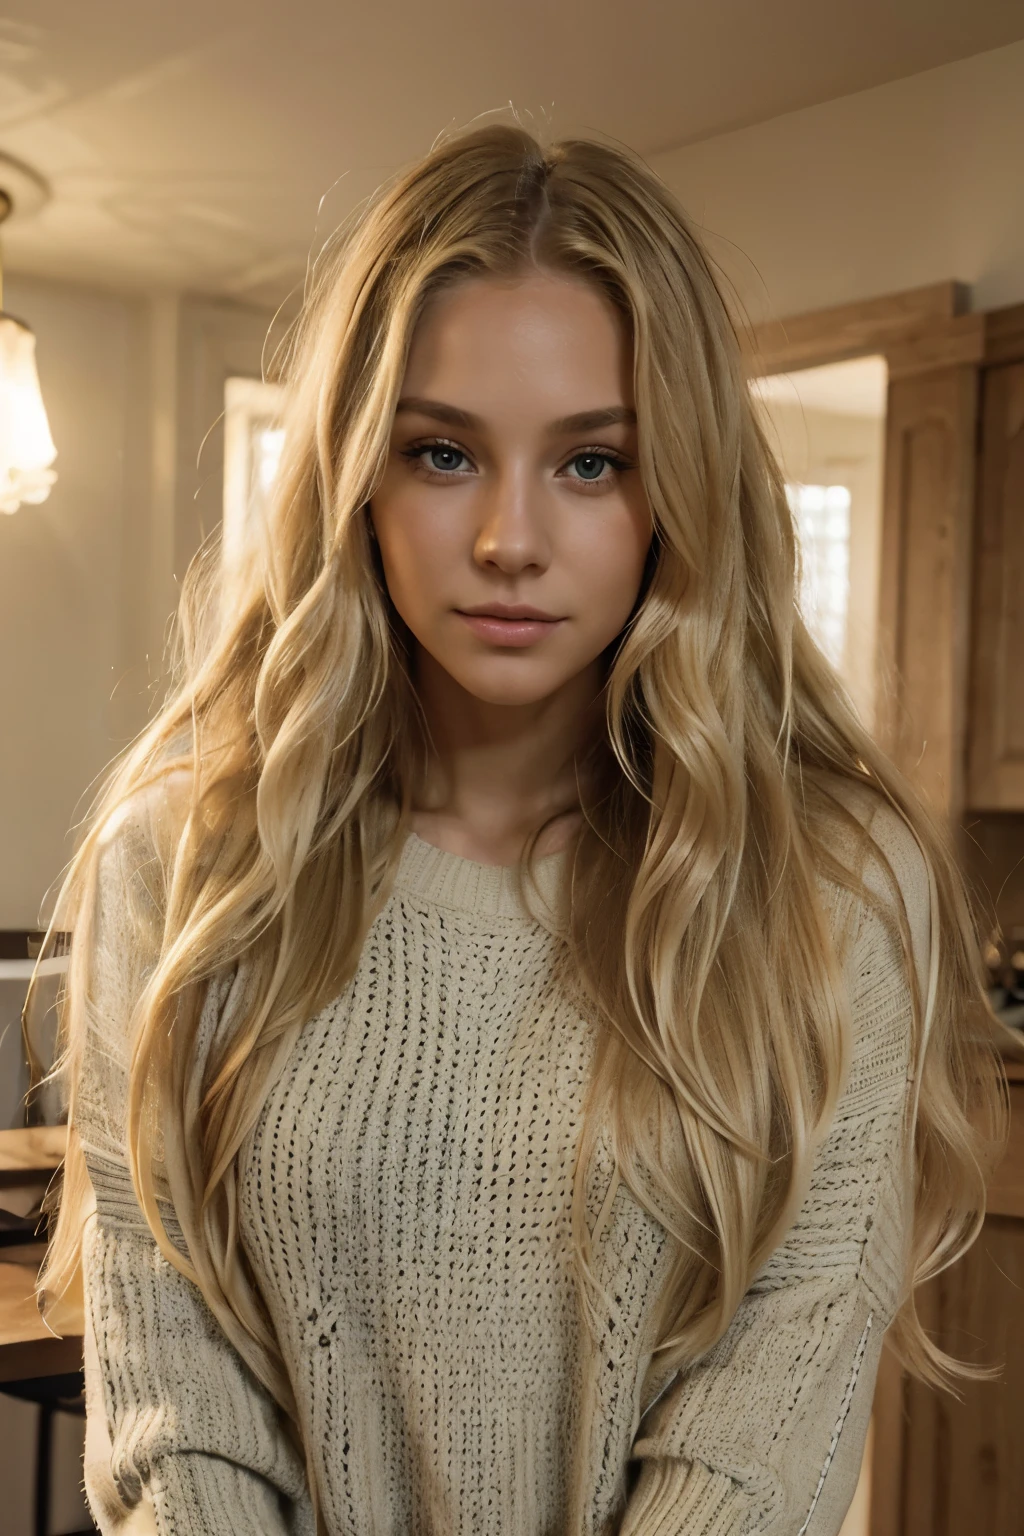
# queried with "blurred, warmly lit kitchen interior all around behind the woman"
point(171, 174)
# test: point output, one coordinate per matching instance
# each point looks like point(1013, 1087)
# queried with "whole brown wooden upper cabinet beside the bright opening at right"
point(951, 635)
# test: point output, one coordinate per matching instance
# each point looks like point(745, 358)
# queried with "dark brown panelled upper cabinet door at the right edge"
point(996, 760)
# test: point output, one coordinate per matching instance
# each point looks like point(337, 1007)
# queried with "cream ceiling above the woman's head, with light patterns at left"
point(213, 145)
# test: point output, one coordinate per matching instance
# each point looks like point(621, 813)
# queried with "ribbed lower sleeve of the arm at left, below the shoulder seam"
point(176, 1420)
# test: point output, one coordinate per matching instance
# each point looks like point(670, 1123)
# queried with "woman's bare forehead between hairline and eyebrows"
point(535, 343)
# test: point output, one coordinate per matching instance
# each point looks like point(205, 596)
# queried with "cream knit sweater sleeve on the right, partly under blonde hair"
point(767, 1432)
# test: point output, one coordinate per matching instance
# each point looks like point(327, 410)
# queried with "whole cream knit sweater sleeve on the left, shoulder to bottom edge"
point(180, 1435)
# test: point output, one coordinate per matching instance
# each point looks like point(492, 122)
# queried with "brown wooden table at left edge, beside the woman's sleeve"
point(28, 1346)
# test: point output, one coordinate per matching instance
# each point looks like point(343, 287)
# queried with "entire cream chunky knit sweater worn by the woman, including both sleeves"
point(405, 1202)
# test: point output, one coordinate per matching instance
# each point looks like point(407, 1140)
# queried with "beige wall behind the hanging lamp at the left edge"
point(67, 574)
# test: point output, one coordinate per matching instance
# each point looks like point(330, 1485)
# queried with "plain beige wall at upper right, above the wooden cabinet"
point(893, 188)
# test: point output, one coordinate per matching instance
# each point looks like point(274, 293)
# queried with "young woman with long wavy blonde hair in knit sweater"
point(520, 1059)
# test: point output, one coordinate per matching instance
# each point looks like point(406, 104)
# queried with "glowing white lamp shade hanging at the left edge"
point(27, 449)
